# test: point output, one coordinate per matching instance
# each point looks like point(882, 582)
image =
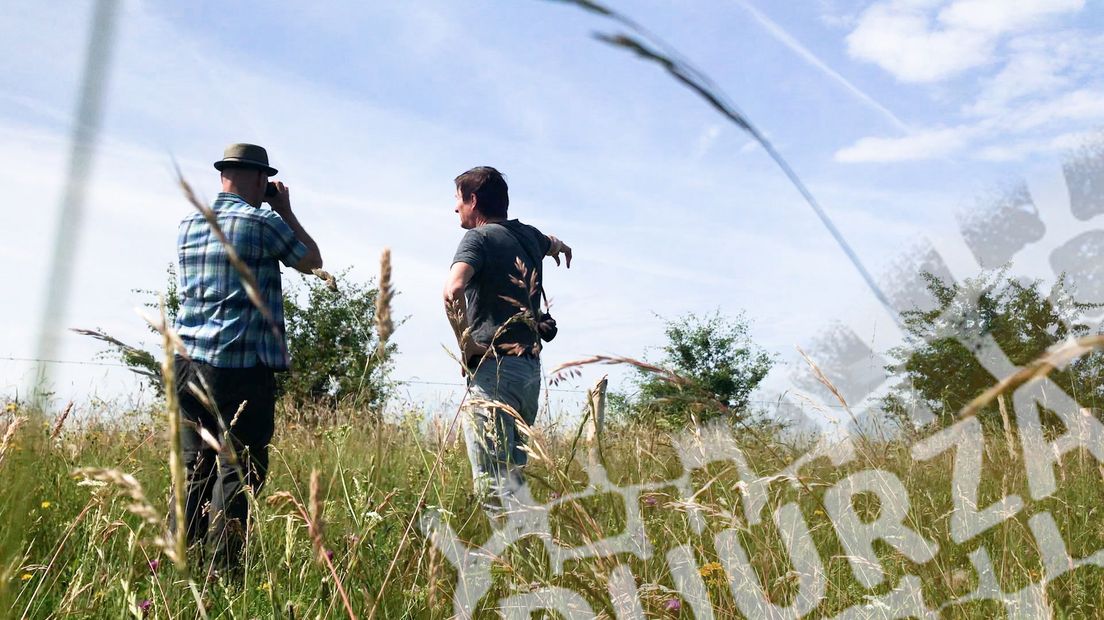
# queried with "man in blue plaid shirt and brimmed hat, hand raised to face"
point(233, 349)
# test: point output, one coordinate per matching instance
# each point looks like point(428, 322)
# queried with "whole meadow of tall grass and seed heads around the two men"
point(370, 517)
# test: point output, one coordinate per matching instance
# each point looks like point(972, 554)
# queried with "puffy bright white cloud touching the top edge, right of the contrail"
point(926, 41)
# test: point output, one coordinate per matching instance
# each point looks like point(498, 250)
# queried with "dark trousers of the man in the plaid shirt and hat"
point(217, 508)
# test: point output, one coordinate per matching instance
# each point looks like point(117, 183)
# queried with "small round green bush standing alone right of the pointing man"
point(718, 356)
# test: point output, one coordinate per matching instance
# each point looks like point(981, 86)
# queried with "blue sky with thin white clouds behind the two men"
point(896, 113)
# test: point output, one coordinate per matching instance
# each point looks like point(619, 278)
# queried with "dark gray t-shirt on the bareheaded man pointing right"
point(493, 251)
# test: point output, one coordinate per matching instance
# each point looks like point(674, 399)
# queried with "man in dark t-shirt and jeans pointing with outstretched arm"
point(493, 297)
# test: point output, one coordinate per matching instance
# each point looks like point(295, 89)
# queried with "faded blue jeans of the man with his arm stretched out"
point(493, 436)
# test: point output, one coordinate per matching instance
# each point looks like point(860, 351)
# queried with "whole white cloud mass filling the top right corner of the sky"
point(1041, 78)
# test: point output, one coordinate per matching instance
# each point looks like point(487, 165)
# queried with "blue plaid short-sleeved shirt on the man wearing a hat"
point(217, 320)
